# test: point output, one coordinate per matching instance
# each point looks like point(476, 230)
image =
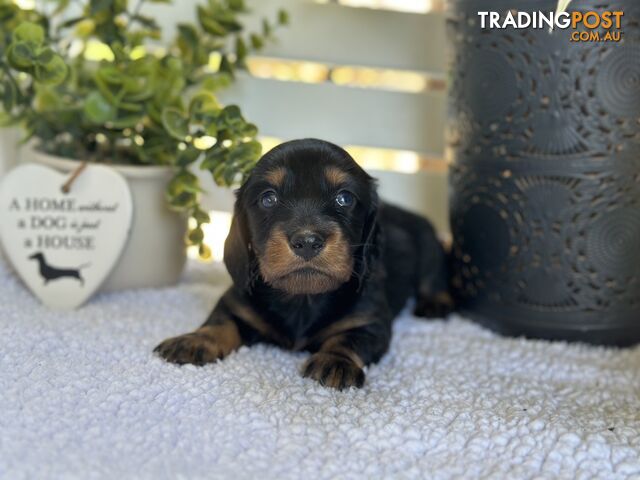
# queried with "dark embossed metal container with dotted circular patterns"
point(544, 136)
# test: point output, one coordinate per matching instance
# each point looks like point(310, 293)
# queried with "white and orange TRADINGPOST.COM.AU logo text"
point(588, 26)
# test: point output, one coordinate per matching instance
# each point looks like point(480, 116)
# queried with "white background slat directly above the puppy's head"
point(344, 115)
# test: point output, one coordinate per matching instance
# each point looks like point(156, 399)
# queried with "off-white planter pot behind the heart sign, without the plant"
point(155, 253)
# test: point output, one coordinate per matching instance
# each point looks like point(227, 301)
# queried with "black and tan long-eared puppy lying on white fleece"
point(318, 264)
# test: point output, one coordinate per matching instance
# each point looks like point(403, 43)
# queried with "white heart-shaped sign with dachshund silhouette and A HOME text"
point(64, 245)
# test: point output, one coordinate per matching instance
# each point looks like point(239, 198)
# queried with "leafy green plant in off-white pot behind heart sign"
point(146, 109)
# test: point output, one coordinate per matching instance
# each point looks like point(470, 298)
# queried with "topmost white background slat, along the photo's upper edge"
point(358, 36)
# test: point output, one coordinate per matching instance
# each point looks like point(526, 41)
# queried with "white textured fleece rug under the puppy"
point(81, 396)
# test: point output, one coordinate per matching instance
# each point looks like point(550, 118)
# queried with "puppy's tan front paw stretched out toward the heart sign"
point(205, 345)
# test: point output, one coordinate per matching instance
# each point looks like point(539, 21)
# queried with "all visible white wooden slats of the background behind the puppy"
point(340, 35)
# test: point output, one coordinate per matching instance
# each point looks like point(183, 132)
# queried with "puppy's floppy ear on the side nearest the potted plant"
point(238, 257)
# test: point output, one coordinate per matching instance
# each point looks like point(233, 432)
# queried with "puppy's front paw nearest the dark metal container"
point(334, 370)
